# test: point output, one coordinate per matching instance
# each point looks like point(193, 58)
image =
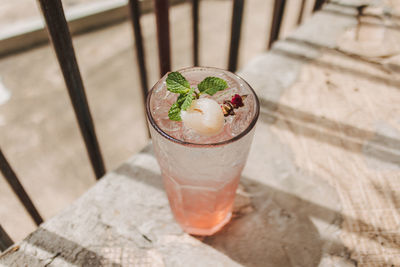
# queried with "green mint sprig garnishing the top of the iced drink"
point(176, 83)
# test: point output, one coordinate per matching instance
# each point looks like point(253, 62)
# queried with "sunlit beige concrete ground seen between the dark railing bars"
point(38, 131)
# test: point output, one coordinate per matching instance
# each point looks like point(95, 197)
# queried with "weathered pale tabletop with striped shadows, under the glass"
point(321, 184)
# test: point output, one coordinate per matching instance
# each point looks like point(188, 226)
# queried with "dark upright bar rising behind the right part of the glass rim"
point(237, 17)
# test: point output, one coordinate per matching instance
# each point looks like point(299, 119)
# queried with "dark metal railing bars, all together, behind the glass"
point(60, 37)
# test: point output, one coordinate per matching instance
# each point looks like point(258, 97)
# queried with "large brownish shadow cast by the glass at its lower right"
point(274, 228)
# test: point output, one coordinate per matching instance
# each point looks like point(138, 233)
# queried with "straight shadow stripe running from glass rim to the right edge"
point(332, 132)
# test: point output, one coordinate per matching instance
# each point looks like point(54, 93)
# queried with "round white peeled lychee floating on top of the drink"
point(204, 116)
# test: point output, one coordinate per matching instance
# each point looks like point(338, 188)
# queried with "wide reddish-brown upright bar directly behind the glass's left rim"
point(162, 19)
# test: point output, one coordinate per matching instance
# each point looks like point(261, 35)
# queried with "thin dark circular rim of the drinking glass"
point(185, 143)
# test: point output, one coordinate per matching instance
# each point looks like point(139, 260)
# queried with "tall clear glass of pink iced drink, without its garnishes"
point(201, 173)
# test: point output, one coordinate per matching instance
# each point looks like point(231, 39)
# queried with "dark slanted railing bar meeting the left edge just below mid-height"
point(18, 189)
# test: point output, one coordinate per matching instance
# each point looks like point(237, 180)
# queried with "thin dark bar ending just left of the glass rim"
point(137, 31)
